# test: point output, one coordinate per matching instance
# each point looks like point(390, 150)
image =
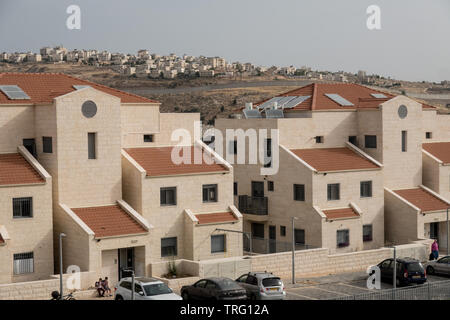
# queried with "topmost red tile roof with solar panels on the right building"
point(359, 95)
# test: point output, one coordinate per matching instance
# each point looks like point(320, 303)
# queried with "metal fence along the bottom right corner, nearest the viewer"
point(430, 291)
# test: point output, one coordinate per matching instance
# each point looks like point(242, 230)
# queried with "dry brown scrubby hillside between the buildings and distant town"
point(211, 103)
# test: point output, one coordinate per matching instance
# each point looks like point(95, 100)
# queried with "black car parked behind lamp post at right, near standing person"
point(409, 270)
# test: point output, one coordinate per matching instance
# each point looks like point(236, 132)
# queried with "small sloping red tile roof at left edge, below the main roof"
point(15, 169)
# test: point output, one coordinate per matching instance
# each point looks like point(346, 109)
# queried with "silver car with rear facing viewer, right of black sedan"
point(262, 286)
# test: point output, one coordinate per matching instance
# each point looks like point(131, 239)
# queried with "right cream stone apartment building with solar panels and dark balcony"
point(357, 169)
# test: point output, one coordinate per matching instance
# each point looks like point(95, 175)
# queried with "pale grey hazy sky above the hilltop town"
point(412, 44)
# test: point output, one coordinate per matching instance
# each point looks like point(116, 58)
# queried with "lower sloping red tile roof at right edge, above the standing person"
point(422, 199)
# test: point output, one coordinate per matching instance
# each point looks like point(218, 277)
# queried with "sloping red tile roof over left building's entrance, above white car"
point(109, 221)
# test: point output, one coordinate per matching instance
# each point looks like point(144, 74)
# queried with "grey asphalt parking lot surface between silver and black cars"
point(335, 286)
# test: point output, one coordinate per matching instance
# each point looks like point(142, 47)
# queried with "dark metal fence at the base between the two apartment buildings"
point(264, 246)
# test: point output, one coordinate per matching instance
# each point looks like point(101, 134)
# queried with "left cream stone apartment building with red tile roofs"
point(96, 164)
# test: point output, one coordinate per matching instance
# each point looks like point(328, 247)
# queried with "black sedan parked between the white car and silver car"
point(214, 289)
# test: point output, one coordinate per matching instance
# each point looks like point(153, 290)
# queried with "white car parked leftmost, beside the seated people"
point(145, 289)
